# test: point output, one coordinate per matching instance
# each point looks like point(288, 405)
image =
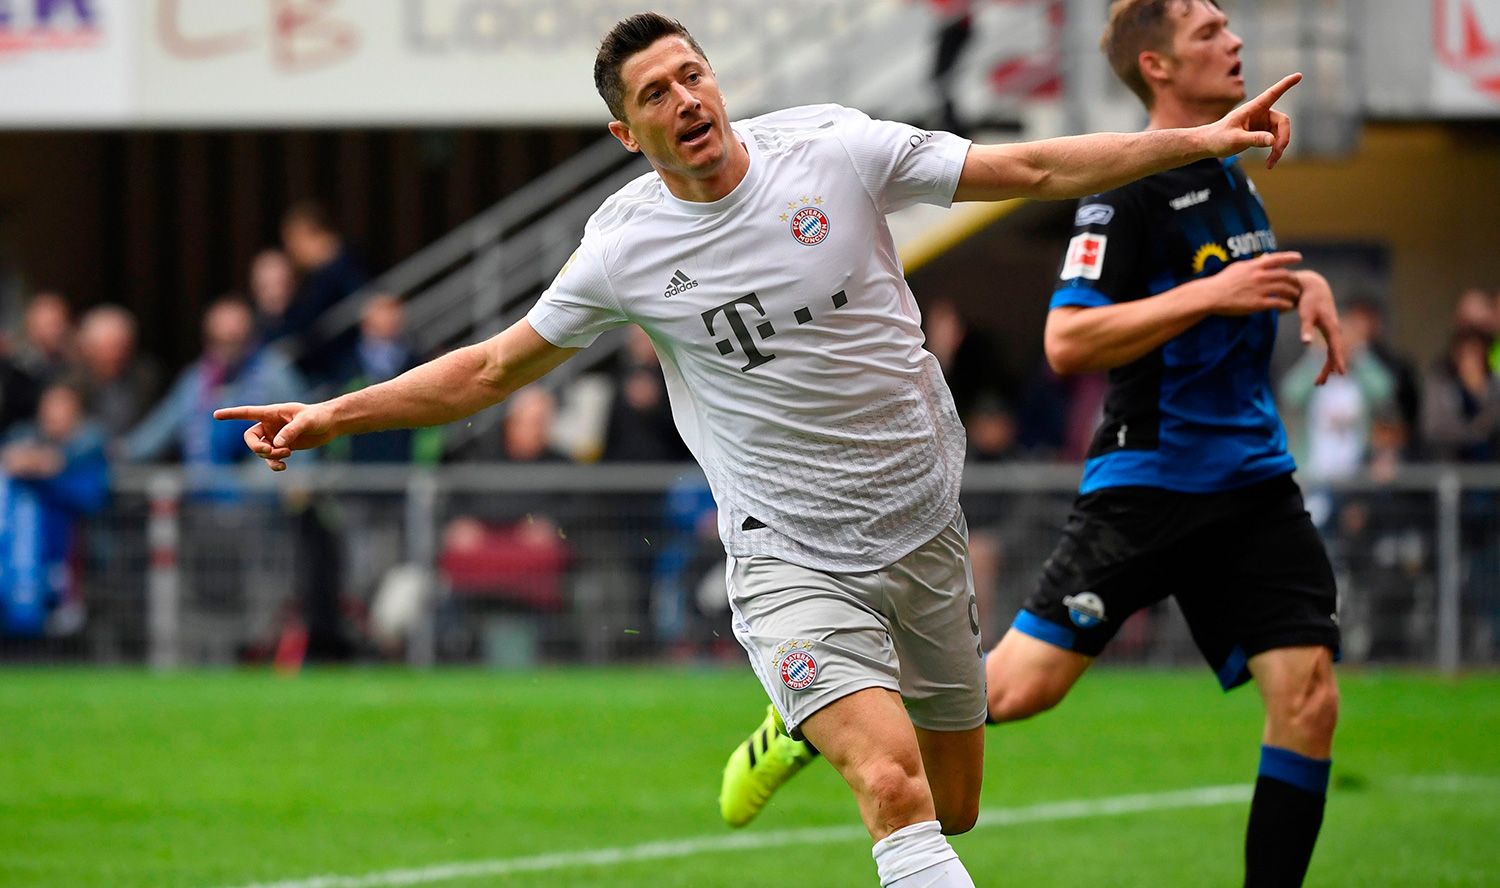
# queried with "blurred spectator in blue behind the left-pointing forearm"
point(379, 355)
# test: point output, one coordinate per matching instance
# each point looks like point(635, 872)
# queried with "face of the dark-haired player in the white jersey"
point(674, 113)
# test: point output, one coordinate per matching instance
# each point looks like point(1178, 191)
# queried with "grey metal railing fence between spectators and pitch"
point(515, 565)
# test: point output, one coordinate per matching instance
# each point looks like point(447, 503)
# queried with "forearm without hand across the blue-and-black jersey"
point(1093, 340)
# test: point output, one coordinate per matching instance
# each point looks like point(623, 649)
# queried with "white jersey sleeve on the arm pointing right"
point(899, 164)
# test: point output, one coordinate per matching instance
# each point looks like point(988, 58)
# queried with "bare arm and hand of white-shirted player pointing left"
point(442, 391)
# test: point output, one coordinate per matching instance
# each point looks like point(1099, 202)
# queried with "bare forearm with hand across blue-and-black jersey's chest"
point(1093, 340)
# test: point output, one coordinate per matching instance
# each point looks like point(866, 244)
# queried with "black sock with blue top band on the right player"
point(1286, 815)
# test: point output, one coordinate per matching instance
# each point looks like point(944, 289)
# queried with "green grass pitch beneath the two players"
point(344, 779)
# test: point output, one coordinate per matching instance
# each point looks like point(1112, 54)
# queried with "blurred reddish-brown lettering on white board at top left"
point(302, 34)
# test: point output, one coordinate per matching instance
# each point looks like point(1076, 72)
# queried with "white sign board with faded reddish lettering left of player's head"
point(340, 62)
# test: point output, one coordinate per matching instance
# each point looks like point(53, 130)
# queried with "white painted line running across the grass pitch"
point(652, 851)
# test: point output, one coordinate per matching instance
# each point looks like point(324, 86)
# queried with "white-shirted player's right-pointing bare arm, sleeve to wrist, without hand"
point(1078, 166)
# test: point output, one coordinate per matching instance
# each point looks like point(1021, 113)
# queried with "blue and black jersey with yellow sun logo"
point(1198, 413)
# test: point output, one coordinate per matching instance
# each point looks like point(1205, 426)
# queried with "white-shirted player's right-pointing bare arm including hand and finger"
point(1079, 166)
